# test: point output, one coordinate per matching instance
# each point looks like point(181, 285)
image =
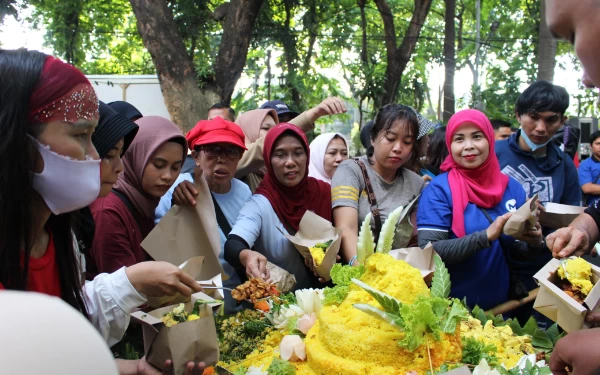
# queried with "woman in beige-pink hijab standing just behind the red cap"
point(255, 124)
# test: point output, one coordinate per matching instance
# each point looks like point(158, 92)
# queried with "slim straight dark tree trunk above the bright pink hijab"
point(449, 59)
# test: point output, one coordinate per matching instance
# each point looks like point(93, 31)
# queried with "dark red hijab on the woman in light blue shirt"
point(290, 203)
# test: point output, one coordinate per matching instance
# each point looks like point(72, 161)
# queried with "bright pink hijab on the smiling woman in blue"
point(483, 186)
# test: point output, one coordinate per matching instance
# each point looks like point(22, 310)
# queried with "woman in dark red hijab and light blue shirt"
point(277, 207)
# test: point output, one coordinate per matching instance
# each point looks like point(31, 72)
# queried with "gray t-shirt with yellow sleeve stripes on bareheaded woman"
point(348, 190)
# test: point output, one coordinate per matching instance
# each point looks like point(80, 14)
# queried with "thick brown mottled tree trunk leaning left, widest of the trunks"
point(185, 101)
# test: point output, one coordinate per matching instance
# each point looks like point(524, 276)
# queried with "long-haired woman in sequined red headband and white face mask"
point(48, 114)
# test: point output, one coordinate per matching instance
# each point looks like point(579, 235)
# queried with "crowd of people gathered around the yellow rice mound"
point(83, 182)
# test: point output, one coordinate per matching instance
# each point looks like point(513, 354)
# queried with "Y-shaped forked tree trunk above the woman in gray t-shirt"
point(398, 57)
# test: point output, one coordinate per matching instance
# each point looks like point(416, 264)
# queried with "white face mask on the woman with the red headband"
point(66, 184)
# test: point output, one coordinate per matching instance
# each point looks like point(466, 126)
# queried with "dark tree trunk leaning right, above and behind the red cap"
point(237, 33)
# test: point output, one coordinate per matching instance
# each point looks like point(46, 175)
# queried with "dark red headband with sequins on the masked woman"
point(62, 93)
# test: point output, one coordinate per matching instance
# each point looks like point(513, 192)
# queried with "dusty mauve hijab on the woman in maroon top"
point(154, 131)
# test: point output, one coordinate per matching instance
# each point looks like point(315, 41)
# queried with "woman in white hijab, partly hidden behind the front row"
point(328, 151)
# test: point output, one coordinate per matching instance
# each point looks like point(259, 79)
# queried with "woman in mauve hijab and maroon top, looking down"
point(126, 216)
